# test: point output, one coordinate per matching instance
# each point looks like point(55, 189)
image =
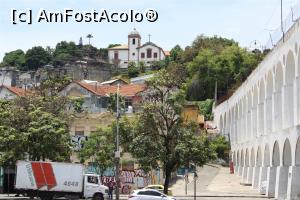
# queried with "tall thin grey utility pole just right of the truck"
point(117, 153)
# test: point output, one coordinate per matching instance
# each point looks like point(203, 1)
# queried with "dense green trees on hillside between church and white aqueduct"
point(211, 60)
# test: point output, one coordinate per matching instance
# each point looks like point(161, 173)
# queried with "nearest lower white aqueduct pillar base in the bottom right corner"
point(293, 190)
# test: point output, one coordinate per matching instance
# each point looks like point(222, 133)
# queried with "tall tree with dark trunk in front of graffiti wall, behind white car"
point(160, 137)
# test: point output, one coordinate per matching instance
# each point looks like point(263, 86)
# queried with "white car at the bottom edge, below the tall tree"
point(148, 194)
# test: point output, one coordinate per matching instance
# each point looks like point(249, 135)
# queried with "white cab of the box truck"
point(93, 187)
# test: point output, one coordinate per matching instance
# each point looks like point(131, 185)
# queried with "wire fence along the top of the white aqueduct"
point(287, 23)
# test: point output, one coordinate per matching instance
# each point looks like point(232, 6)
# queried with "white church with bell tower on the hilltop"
point(134, 51)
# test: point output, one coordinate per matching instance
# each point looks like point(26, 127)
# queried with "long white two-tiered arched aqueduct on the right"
point(262, 119)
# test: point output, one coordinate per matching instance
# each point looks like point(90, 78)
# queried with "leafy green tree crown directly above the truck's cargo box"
point(47, 136)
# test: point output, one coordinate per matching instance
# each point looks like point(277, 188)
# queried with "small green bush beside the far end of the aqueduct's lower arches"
point(221, 146)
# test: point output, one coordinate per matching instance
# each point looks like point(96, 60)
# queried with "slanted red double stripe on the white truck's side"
point(43, 174)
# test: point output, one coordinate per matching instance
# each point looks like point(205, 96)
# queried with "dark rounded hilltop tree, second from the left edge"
point(36, 57)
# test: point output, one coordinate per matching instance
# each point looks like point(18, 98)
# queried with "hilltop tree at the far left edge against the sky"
point(15, 58)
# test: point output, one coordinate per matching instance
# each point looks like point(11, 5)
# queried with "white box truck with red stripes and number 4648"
point(51, 179)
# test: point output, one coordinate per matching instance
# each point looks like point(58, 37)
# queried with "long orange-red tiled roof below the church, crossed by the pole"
point(103, 90)
